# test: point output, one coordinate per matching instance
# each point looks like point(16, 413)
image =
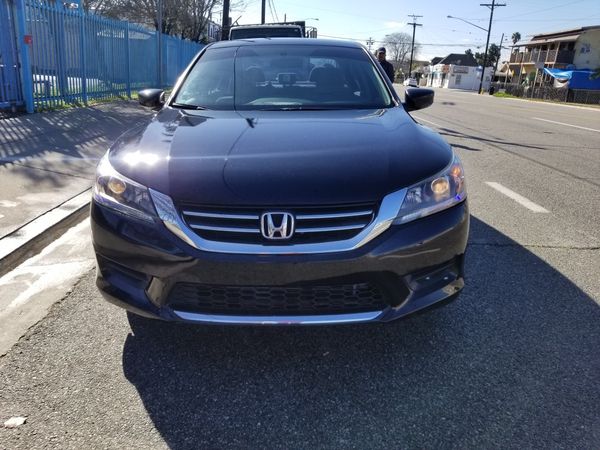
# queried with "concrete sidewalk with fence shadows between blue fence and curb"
point(46, 159)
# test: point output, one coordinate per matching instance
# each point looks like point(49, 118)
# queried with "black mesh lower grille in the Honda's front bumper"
point(275, 300)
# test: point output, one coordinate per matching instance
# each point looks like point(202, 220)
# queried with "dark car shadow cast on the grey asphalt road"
point(514, 362)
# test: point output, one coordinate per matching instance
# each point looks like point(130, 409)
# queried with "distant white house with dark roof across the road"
point(458, 71)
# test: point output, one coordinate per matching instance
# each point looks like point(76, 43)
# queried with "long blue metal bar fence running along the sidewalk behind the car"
point(76, 56)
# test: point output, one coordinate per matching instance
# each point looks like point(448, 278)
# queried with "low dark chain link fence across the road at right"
point(590, 97)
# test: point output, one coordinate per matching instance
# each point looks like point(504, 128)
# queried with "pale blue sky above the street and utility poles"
point(359, 20)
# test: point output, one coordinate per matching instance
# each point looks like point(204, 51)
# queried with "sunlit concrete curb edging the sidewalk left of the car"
point(32, 237)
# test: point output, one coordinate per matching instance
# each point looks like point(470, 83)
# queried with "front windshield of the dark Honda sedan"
point(284, 77)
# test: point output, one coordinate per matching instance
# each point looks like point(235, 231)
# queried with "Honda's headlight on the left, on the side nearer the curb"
point(118, 192)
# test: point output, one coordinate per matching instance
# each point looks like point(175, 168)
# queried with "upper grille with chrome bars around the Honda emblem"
point(312, 225)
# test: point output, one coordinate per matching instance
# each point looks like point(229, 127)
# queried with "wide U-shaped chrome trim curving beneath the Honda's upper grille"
point(388, 211)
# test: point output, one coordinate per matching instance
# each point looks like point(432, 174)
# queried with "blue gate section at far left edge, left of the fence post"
point(10, 87)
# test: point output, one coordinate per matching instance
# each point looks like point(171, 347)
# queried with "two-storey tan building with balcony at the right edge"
point(578, 48)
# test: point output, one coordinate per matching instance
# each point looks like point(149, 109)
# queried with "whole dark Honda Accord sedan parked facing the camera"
point(281, 182)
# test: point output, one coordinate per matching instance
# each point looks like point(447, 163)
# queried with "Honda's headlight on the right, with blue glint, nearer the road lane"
point(440, 192)
